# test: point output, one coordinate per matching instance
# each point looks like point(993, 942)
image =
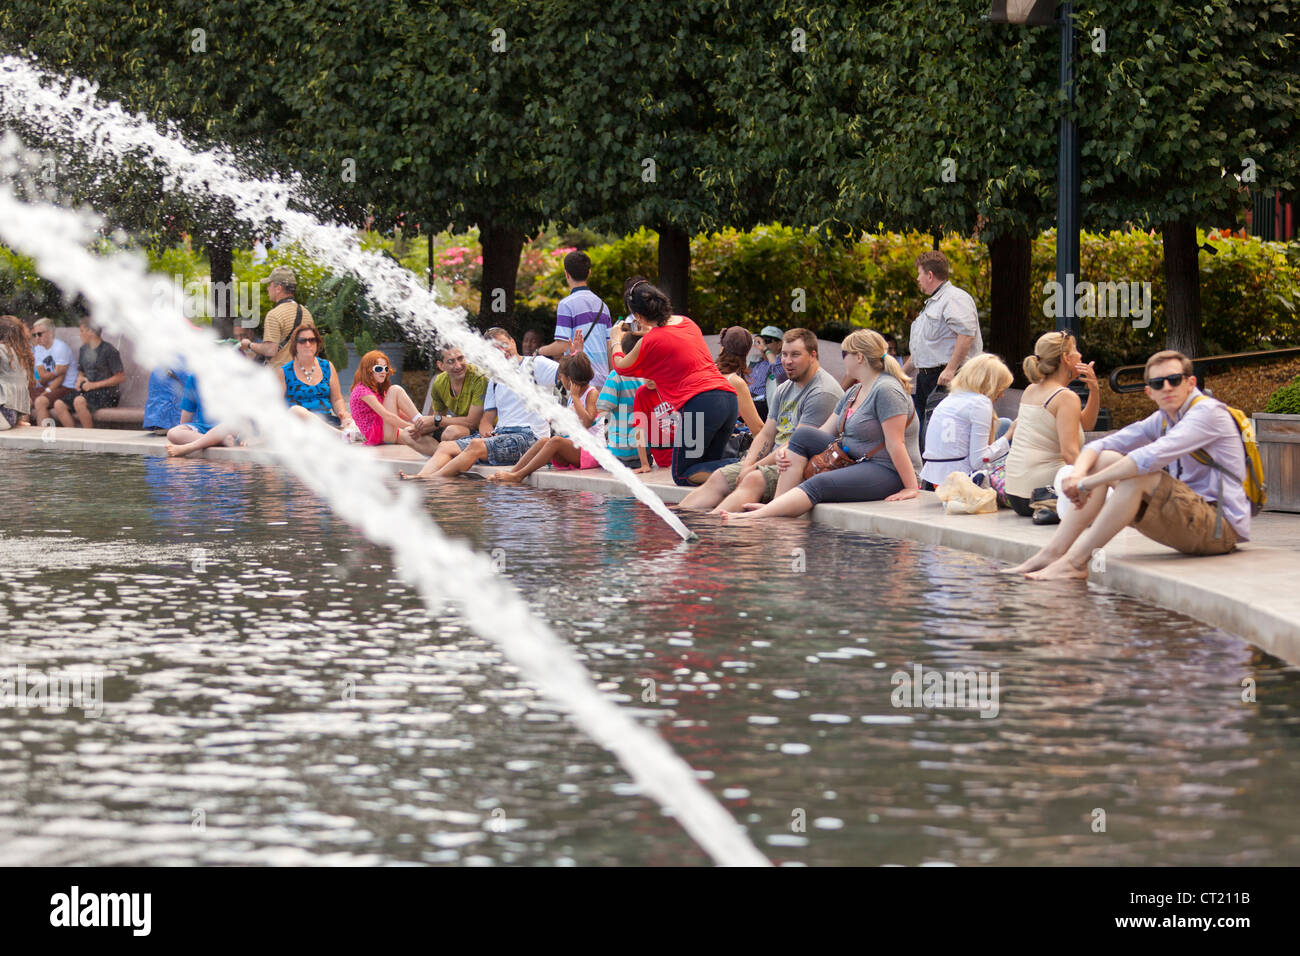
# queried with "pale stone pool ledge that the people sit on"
point(1254, 592)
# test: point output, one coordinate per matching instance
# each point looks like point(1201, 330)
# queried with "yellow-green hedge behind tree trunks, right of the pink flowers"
point(1250, 289)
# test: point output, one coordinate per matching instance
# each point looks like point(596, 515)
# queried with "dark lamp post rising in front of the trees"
point(1041, 14)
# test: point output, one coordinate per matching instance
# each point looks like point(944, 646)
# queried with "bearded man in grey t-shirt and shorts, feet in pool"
point(808, 397)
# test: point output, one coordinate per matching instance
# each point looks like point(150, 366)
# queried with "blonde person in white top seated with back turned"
point(964, 427)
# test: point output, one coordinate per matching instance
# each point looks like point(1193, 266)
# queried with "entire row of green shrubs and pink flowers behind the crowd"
point(781, 276)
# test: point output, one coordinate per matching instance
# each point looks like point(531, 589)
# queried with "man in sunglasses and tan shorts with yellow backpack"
point(1156, 485)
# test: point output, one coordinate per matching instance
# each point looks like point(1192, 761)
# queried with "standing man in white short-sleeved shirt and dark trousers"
point(944, 335)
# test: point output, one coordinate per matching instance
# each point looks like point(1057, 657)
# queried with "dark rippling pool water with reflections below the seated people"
point(274, 694)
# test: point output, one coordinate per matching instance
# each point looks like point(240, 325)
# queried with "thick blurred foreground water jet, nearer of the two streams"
point(120, 295)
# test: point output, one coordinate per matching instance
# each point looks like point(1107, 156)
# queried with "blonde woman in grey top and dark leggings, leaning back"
point(876, 422)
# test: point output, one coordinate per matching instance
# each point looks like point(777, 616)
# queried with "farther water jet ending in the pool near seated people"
point(105, 133)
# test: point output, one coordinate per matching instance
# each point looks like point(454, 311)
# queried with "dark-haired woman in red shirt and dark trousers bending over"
point(671, 352)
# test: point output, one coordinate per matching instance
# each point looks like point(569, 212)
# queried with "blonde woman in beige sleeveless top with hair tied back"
point(1052, 421)
